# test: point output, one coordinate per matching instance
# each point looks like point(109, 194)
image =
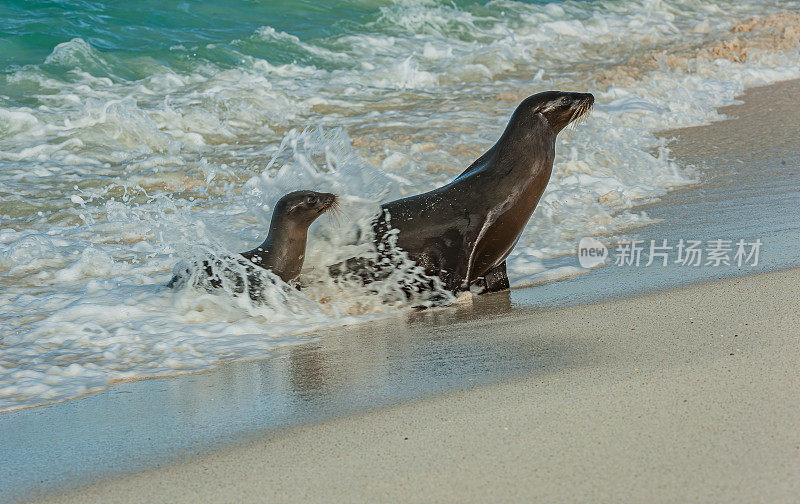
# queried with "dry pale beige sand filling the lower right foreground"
point(686, 395)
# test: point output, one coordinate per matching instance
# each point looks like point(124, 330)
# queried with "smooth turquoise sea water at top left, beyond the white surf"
point(173, 32)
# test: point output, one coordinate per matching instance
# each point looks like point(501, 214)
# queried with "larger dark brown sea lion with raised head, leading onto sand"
point(463, 232)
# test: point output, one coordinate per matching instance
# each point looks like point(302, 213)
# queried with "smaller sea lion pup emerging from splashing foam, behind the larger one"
point(282, 252)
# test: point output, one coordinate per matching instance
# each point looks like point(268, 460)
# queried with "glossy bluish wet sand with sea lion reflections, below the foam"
point(343, 372)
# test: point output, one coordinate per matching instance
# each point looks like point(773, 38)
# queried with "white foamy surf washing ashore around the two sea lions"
point(116, 165)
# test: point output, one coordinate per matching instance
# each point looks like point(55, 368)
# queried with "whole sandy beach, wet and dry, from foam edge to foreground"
point(685, 394)
